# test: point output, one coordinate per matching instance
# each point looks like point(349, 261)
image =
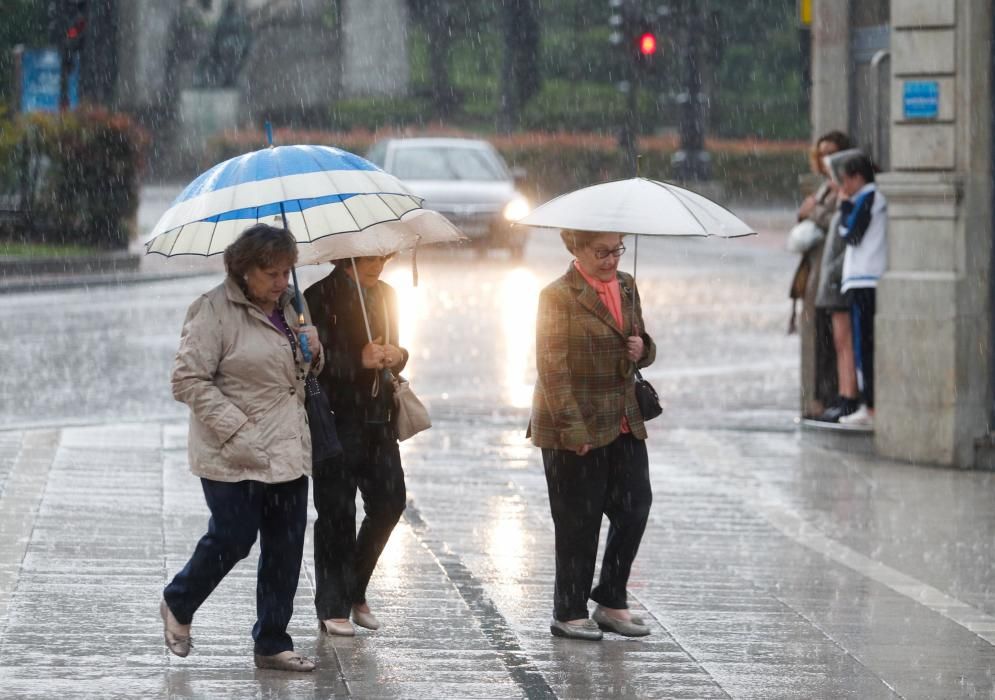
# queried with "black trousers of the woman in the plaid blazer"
point(612, 480)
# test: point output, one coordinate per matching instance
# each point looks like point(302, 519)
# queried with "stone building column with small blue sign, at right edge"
point(932, 330)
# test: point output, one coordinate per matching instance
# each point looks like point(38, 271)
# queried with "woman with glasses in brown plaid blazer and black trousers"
point(589, 339)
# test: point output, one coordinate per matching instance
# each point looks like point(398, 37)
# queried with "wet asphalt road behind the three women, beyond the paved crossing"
point(717, 307)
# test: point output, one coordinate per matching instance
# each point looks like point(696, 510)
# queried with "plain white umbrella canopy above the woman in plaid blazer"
point(638, 206)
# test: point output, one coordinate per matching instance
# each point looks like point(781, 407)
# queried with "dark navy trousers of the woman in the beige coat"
point(278, 512)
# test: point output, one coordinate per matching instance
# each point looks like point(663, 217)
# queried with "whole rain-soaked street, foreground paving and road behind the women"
point(770, 567)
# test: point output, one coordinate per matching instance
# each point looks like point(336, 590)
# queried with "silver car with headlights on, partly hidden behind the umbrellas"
point(464, 179)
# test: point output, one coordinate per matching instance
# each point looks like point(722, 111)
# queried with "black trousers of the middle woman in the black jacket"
point(344, 560)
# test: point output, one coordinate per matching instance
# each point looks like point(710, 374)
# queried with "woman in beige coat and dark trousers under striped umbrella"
point(241, 371)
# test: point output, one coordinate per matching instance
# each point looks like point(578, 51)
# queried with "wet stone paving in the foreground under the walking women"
point(769, 569)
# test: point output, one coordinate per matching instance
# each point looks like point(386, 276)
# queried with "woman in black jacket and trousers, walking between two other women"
point(356, 378)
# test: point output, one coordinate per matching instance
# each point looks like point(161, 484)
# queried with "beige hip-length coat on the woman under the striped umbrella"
point(245, 390)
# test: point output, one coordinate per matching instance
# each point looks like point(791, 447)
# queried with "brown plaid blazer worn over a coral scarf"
point(585, 382)
